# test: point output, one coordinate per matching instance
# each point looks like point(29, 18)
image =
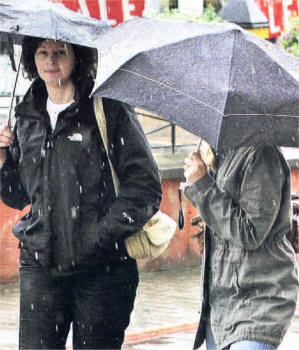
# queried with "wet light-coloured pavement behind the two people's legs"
point(164, 318)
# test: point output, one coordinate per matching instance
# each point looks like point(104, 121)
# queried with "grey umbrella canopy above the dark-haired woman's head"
point(47, 20)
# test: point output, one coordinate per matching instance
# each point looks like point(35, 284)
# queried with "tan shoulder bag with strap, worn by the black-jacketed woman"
point(153, 239)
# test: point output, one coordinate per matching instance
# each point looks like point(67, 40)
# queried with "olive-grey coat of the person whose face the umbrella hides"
point(250, 281)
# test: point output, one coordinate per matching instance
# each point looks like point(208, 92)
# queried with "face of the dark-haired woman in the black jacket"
point(55, 62)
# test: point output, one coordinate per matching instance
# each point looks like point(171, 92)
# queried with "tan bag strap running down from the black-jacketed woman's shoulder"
point(101, 120)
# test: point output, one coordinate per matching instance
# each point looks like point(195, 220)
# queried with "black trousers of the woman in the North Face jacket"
point(98, 304)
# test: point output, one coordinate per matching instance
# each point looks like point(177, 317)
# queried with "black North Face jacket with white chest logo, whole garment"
point(75, 219)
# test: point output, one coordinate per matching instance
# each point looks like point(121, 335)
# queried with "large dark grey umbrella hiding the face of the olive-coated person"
point(217, 81)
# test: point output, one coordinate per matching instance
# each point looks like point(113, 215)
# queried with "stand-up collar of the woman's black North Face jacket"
point(35, 100)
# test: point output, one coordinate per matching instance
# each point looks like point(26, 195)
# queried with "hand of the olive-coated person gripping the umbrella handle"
point(194, 167)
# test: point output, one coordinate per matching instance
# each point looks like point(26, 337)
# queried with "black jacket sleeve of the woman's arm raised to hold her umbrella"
point(12, 192)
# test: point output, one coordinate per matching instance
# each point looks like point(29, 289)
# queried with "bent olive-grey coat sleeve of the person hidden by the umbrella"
point(245, 222)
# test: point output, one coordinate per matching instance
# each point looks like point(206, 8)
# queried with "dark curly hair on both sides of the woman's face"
point(85, 61)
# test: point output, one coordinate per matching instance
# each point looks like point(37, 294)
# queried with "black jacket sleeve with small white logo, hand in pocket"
point(140, 189)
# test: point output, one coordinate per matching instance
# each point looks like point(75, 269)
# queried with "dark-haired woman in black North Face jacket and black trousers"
point(74, 267)
